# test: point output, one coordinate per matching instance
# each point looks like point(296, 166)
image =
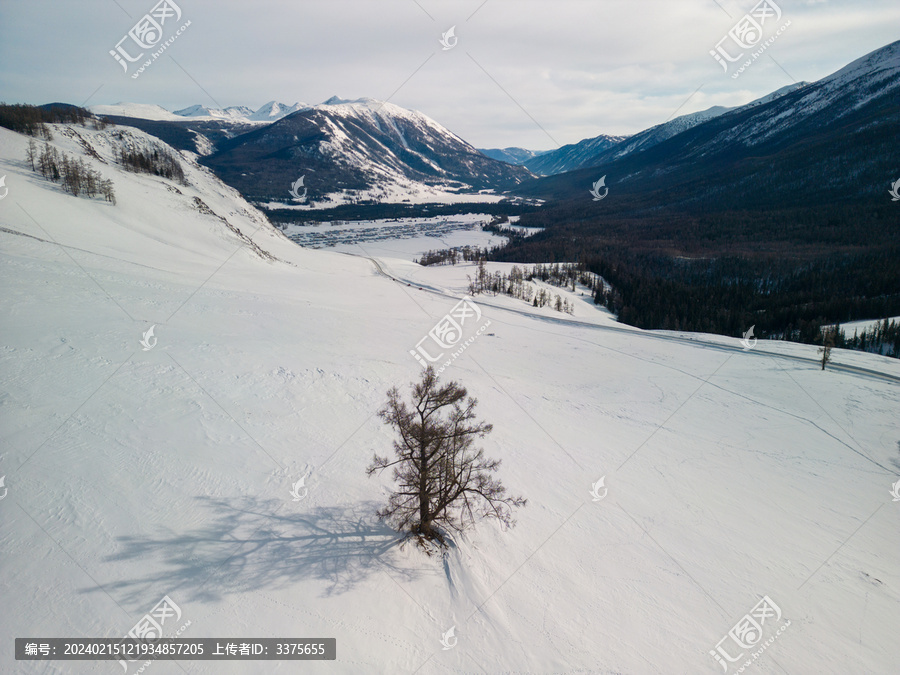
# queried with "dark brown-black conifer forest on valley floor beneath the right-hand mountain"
point(787, 274)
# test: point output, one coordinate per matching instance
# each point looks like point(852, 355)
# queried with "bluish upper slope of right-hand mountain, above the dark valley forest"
point(833, 140)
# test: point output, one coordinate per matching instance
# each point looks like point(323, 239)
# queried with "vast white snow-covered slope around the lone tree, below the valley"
point(131, 474)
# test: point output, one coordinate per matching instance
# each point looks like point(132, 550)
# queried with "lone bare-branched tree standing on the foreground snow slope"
point(442, 479)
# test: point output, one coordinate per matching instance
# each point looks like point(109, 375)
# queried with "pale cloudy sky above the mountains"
point(529, 73)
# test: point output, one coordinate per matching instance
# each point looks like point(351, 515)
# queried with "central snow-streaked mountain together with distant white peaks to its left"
point(346, 151)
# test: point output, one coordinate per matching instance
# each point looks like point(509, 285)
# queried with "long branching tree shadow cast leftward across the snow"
point(247, 545)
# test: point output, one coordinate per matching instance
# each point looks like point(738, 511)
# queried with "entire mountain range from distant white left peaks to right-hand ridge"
point(368, 151)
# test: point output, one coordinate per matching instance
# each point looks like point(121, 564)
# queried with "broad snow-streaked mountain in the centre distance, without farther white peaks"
point(371, 149)
